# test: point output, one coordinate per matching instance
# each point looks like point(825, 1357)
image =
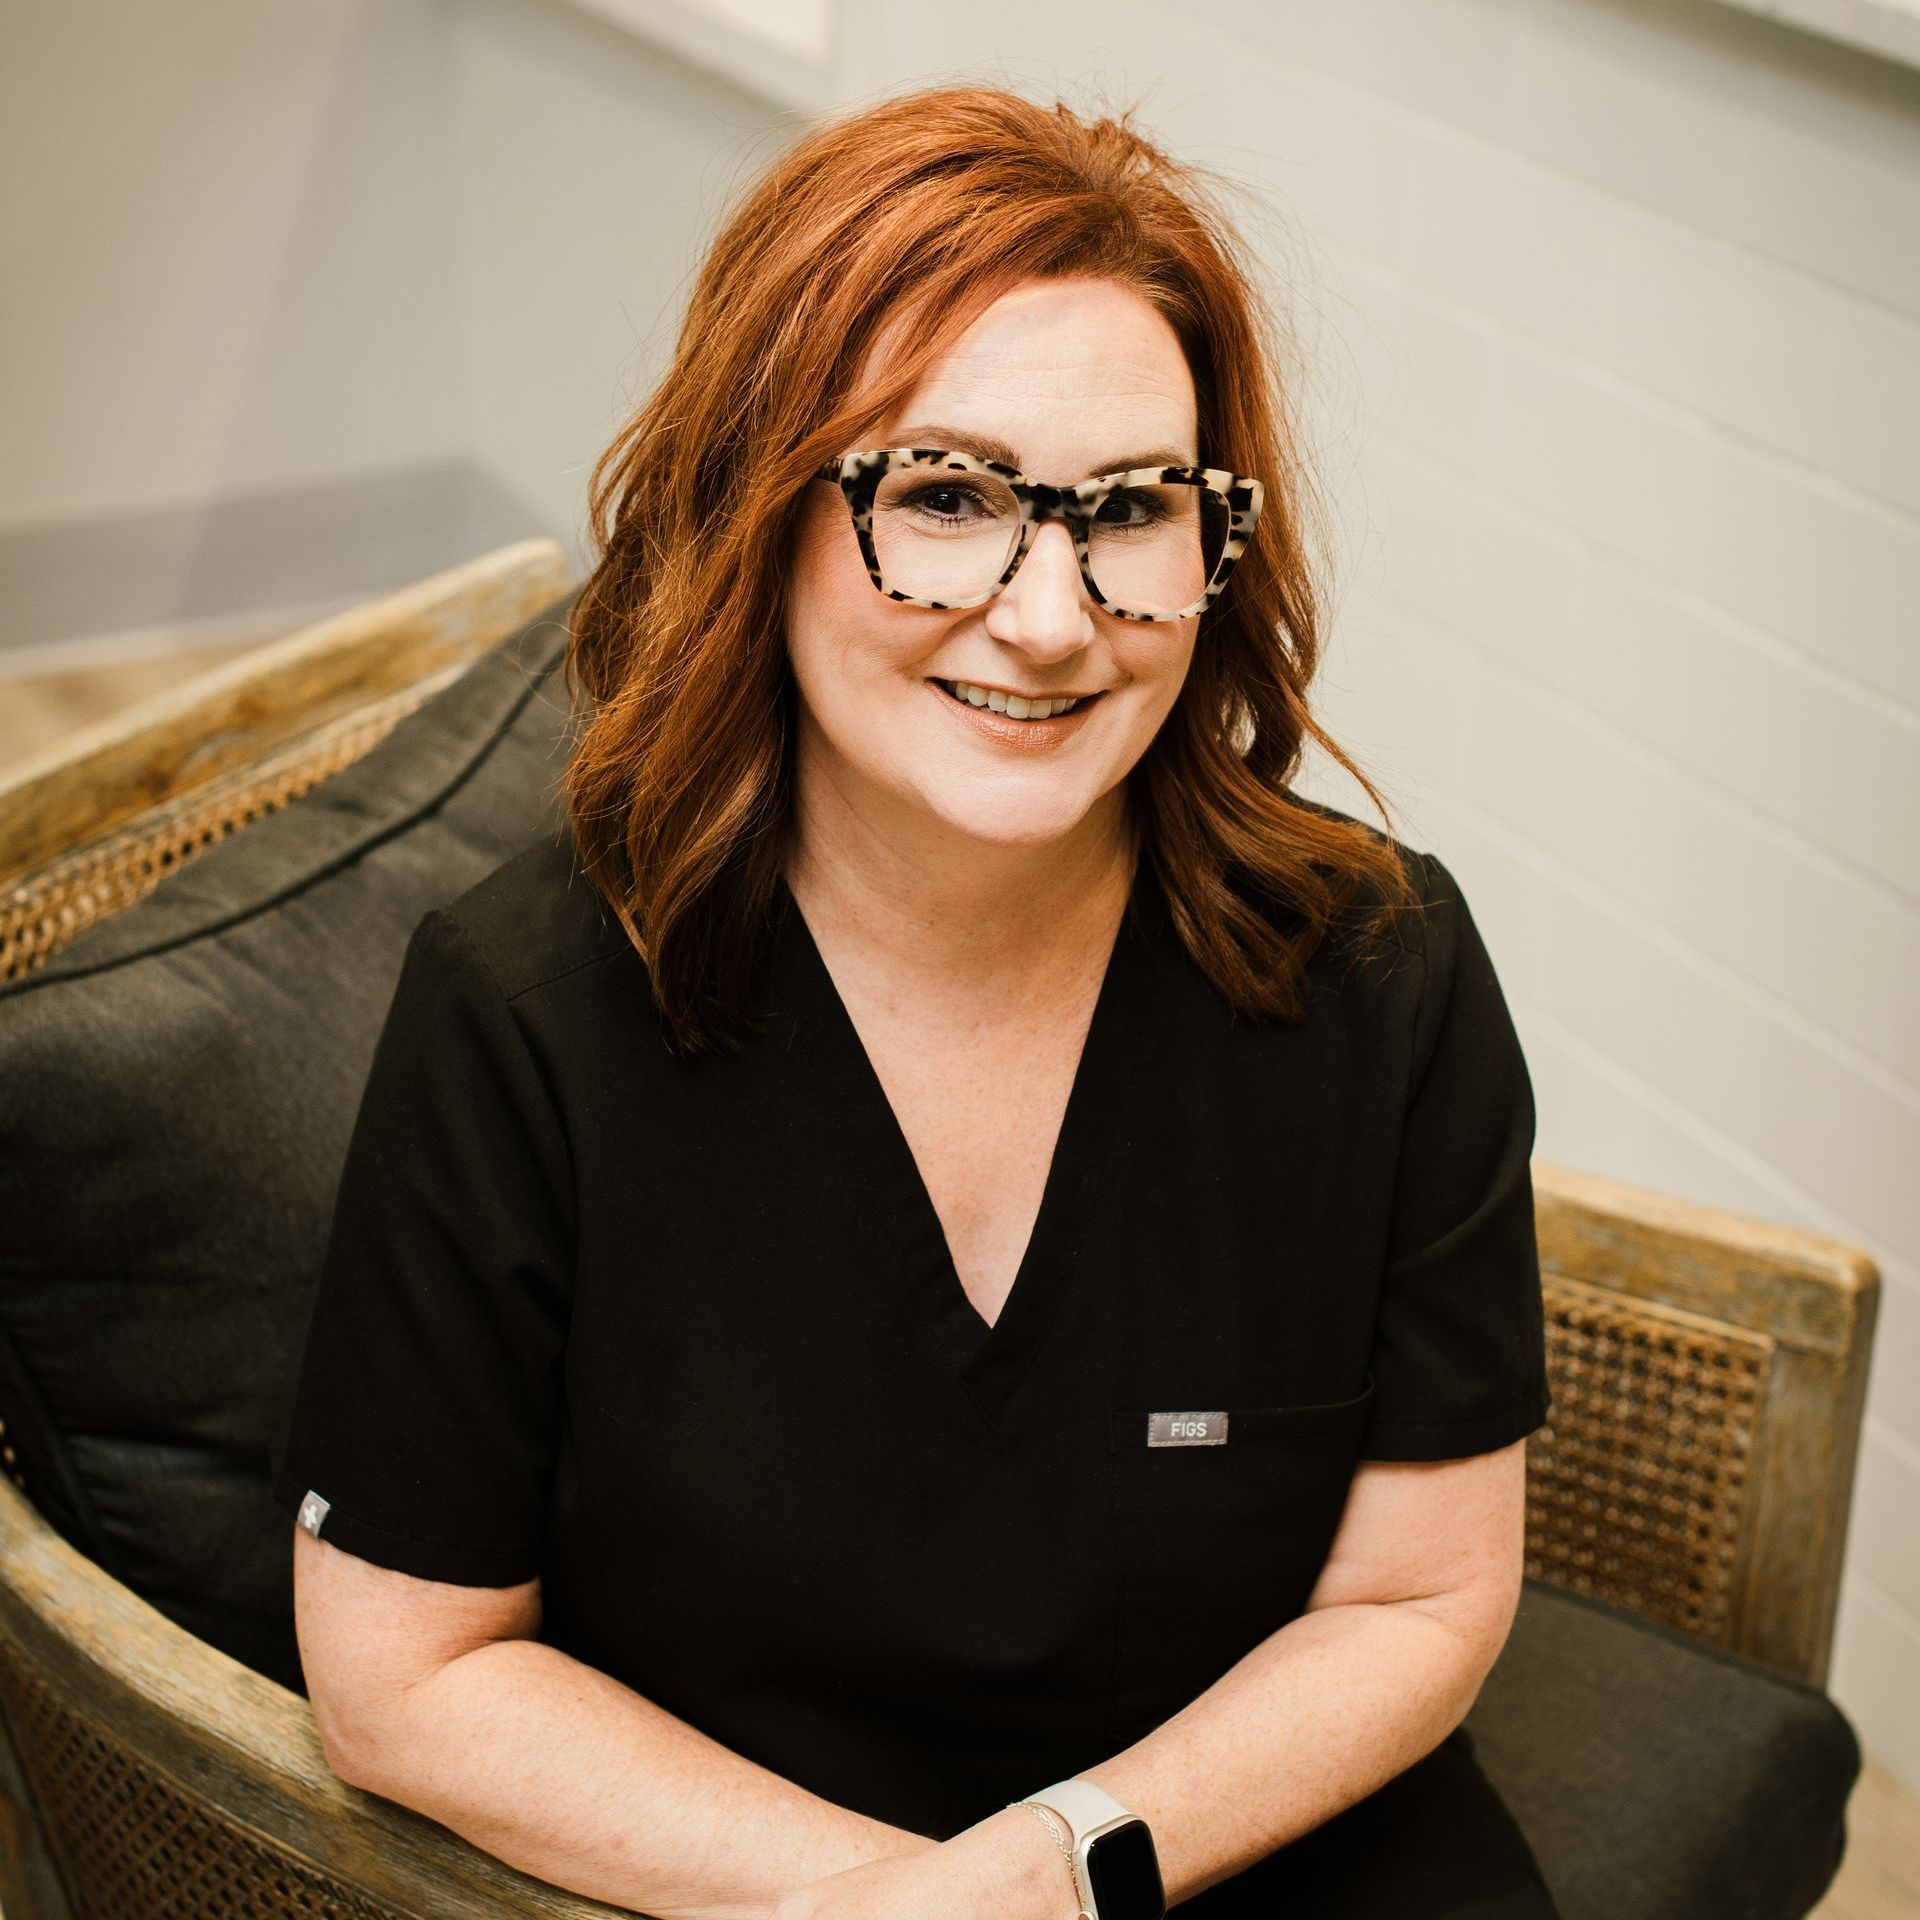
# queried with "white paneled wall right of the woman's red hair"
point(1618, 325)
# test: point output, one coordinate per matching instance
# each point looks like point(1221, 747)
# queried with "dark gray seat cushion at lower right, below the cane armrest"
point(1660, 1779)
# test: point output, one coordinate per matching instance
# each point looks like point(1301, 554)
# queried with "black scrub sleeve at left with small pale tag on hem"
point(427, 1410)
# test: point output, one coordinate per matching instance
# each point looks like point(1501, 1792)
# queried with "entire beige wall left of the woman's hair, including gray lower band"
point(306, 299)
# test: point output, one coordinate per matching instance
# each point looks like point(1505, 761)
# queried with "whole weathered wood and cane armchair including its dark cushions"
point(1658, 1719)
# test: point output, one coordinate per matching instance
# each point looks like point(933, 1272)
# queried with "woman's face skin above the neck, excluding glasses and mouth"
point(1068, 373)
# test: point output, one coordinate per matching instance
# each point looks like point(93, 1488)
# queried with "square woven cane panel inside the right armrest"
point(1637, 1487)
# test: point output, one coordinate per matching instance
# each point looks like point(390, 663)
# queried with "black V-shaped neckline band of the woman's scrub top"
point(988, 1360)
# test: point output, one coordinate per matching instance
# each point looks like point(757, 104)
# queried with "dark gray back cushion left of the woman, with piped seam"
point(180, 1086)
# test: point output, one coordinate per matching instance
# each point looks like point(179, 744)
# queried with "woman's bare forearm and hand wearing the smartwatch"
point(1401, 1631)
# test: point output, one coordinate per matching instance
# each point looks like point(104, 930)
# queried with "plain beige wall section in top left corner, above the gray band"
point(229, 254)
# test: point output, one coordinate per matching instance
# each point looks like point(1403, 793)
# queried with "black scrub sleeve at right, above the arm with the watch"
point(1460, 1341)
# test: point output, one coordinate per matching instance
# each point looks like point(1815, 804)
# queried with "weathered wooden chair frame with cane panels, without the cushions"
point(1739, 1533)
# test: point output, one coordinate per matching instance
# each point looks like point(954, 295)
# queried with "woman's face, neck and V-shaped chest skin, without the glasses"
point(965, 890)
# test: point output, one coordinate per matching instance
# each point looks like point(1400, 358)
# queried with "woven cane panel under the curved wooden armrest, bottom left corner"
point(132, 1846)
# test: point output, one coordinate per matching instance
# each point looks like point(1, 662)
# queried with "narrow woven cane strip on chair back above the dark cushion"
point(51, 905)
